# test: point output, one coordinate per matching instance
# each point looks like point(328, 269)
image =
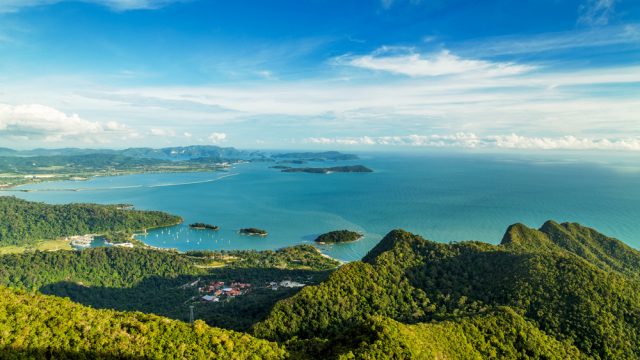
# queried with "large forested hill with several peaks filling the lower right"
point(562, 291)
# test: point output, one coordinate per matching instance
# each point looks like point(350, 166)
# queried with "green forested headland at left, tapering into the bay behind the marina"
point(25, 222)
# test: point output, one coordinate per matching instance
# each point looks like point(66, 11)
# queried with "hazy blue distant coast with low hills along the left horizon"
point(19, 167)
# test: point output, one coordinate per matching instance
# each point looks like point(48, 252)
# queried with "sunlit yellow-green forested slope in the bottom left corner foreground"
point(38, 326)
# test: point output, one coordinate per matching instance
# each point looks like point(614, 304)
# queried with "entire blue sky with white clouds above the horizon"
point(321, 74)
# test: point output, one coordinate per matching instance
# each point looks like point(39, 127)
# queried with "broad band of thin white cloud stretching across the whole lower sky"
point(578, 101)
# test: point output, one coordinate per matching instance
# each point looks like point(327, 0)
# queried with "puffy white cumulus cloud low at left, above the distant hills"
point(40, 122)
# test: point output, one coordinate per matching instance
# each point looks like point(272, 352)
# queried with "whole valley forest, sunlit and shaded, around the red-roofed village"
point(153, 281)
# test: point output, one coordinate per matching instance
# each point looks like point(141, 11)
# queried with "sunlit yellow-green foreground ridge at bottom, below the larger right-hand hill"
point(499, 334)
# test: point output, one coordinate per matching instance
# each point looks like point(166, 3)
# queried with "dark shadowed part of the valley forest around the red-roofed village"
point(169, 297)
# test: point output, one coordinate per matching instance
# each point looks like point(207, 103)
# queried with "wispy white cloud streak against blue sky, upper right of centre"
point(407, 62)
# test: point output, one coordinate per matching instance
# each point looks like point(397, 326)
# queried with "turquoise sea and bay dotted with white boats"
point(443, 197)
